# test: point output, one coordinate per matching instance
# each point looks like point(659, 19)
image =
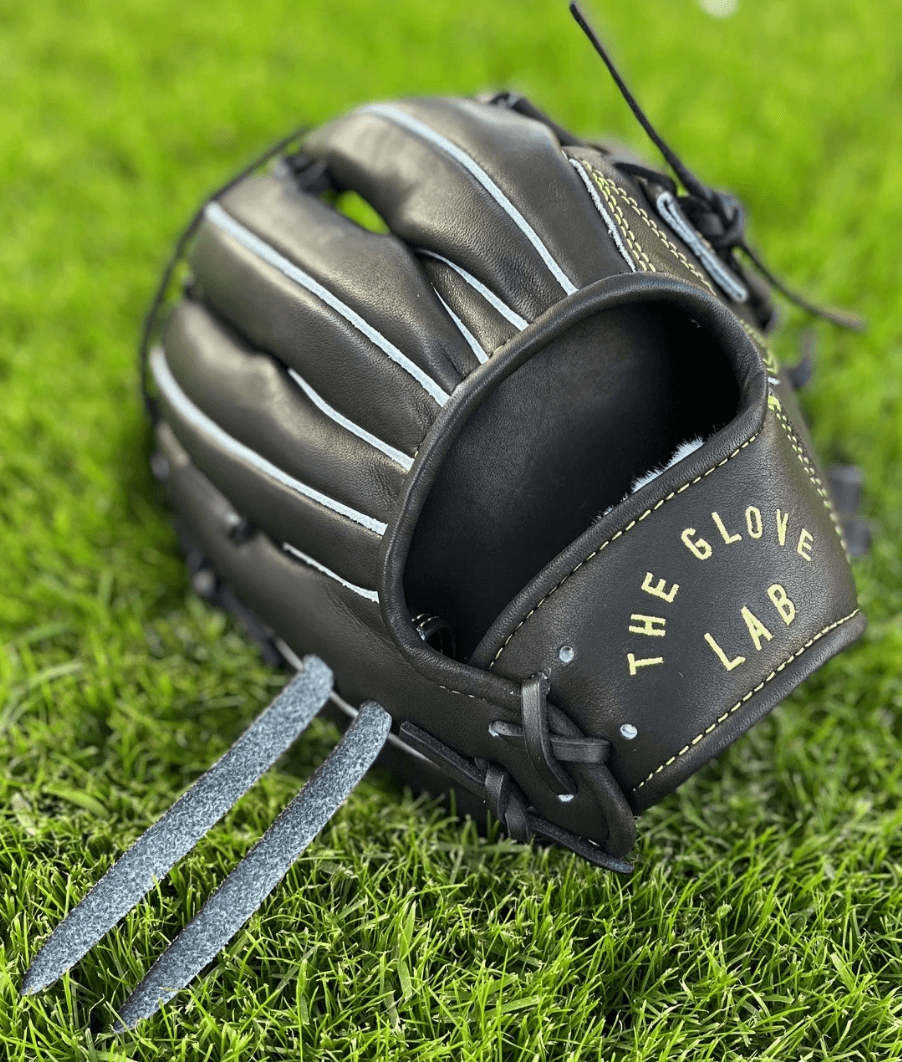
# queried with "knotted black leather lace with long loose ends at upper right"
point(718, 216)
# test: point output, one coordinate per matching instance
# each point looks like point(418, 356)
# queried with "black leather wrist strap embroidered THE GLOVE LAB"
point(687, 699)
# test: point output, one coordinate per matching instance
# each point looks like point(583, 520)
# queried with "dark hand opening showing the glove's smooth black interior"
point(556, 446)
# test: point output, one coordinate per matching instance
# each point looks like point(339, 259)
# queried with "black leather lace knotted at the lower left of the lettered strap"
point(550, 740)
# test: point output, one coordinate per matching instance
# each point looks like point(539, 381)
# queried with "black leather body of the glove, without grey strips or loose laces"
point(493, 524)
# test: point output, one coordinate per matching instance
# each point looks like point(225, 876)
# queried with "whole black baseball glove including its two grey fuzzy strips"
point(518, 465)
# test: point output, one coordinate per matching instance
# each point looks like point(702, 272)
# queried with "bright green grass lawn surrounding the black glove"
point(764, 920)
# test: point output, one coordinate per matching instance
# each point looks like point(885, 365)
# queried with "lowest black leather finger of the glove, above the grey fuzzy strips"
point(315, 614)
